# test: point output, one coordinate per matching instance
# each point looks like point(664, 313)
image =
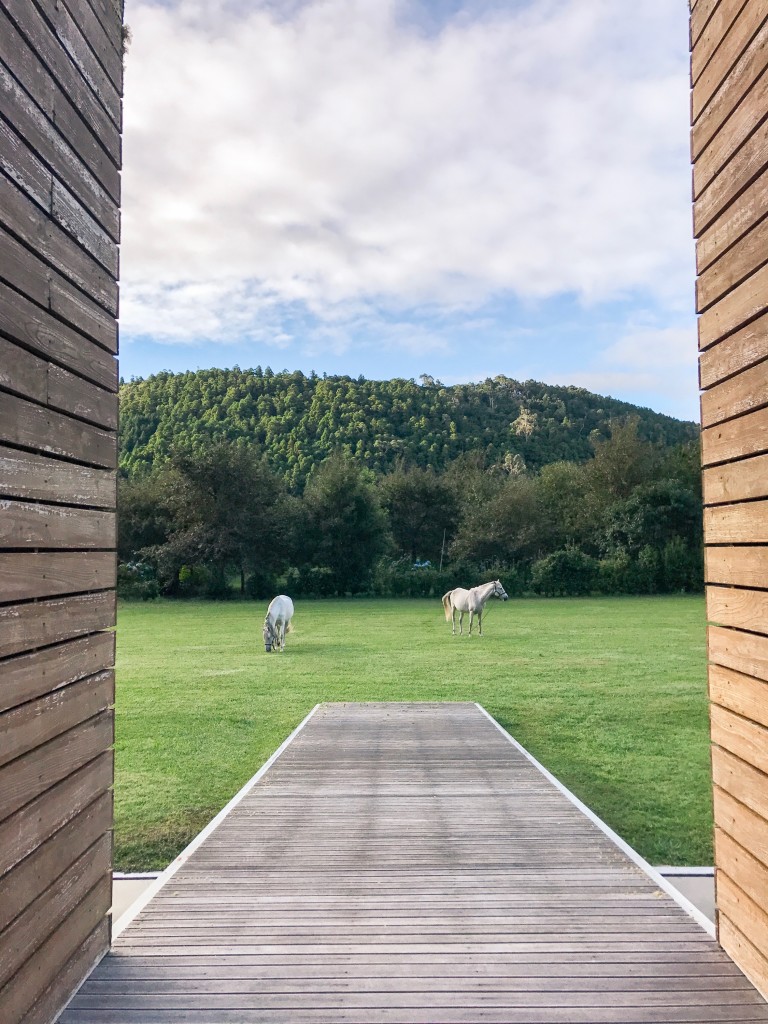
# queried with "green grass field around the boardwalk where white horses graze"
point(610, 695)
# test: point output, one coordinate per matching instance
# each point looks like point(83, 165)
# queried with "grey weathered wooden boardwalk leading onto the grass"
point(407, 864)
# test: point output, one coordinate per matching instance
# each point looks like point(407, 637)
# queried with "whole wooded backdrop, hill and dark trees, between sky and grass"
point(327, 486)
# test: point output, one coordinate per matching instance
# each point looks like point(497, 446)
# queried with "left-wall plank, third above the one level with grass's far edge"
point(36, 478)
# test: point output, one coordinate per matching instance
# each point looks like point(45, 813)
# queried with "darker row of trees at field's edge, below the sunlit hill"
point(626, 521)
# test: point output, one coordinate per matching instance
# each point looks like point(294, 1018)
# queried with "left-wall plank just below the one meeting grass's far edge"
point(27, 677)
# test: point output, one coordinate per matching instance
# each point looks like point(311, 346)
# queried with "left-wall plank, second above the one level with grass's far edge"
point(35, 526)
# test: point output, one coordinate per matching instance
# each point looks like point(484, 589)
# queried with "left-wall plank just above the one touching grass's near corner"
point(37, 873)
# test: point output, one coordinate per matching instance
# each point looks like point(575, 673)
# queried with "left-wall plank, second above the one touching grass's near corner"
point(22, 834)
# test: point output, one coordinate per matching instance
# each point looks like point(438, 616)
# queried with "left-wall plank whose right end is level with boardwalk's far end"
point(26, 729)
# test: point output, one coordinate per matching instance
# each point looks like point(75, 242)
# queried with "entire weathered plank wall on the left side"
point(61, 87)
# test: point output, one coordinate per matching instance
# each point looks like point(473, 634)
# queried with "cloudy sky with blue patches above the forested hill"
point(392, 188)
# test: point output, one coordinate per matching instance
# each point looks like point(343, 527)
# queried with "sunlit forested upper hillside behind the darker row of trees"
point(298, 420)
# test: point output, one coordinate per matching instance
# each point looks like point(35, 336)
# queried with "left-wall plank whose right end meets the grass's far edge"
point(25, 627)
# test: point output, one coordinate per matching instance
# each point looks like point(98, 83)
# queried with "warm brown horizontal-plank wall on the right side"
point(730, 147)
